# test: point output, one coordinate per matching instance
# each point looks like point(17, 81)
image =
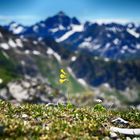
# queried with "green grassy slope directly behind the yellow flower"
point(51, 70)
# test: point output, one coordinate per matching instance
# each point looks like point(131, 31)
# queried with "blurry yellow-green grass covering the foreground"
point(42, 122)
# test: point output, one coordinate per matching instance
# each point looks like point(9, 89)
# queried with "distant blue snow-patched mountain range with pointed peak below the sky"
point(111, 40)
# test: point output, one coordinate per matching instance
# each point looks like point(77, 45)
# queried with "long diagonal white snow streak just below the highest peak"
point(75, 28)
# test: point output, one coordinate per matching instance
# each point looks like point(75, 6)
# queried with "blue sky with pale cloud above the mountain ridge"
point(30, 11)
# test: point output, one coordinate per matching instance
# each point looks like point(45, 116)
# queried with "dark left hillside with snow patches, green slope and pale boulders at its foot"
point(29, 70)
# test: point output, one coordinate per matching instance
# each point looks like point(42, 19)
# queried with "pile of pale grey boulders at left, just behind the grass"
point(31, 90)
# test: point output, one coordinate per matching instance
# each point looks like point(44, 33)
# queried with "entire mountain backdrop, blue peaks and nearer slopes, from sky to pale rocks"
point(94, 53)
